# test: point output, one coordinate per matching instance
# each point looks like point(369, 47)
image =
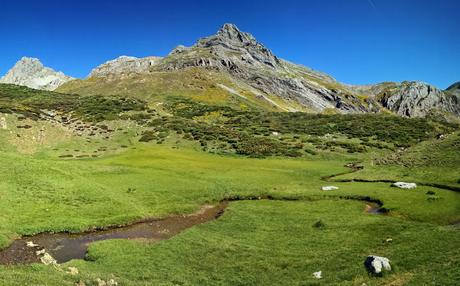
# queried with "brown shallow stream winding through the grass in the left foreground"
point(64, 246)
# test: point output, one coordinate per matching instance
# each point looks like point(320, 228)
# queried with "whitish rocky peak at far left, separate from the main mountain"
point(30, 72)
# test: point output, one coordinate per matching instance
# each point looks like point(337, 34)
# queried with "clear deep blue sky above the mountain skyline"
point(355, 41)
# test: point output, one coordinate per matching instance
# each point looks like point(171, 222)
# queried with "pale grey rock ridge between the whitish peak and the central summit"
point(124, 65)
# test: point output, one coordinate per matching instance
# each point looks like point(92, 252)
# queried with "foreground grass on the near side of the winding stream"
point(271, 242)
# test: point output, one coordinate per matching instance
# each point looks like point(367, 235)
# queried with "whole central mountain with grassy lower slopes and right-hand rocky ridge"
point(232, 67)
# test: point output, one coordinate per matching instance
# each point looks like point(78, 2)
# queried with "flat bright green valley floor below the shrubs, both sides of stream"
point(266, 242)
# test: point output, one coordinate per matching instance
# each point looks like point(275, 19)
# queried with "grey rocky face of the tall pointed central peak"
point(248, 61)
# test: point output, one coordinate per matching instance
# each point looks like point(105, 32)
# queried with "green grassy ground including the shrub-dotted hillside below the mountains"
point(95, 170)
